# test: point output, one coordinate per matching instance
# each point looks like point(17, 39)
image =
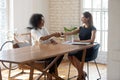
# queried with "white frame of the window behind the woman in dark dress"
point(103, 32)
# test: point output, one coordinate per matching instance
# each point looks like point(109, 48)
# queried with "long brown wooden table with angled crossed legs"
point(27, 55)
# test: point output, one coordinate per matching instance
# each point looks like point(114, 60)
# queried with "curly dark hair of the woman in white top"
point(35, 20)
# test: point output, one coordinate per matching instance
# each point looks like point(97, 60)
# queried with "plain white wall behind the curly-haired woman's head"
point(23, 9)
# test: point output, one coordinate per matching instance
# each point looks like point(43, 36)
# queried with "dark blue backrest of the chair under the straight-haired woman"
point(92, 53)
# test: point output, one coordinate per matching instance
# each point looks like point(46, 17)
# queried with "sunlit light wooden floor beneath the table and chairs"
point(63, 72)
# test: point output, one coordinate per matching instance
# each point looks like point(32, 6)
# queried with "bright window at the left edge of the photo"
point(5, 28)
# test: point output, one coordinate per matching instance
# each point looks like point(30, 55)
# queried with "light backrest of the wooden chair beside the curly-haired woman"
point(22, 40)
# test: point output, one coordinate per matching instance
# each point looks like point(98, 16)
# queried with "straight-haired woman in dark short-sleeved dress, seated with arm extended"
point(86, 34)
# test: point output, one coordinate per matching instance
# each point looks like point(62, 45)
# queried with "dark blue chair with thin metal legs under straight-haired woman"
point(92, 57)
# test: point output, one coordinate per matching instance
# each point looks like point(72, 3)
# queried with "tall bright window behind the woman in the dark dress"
point(99, 10)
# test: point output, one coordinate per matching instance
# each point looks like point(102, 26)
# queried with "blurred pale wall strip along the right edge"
point(114, 40)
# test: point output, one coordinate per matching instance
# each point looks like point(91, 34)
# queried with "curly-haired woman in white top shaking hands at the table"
point(40, 34)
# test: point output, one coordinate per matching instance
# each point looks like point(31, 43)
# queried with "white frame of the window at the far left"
point(8, 27)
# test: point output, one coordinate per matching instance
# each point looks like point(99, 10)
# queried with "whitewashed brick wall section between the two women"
point(64, 13)
